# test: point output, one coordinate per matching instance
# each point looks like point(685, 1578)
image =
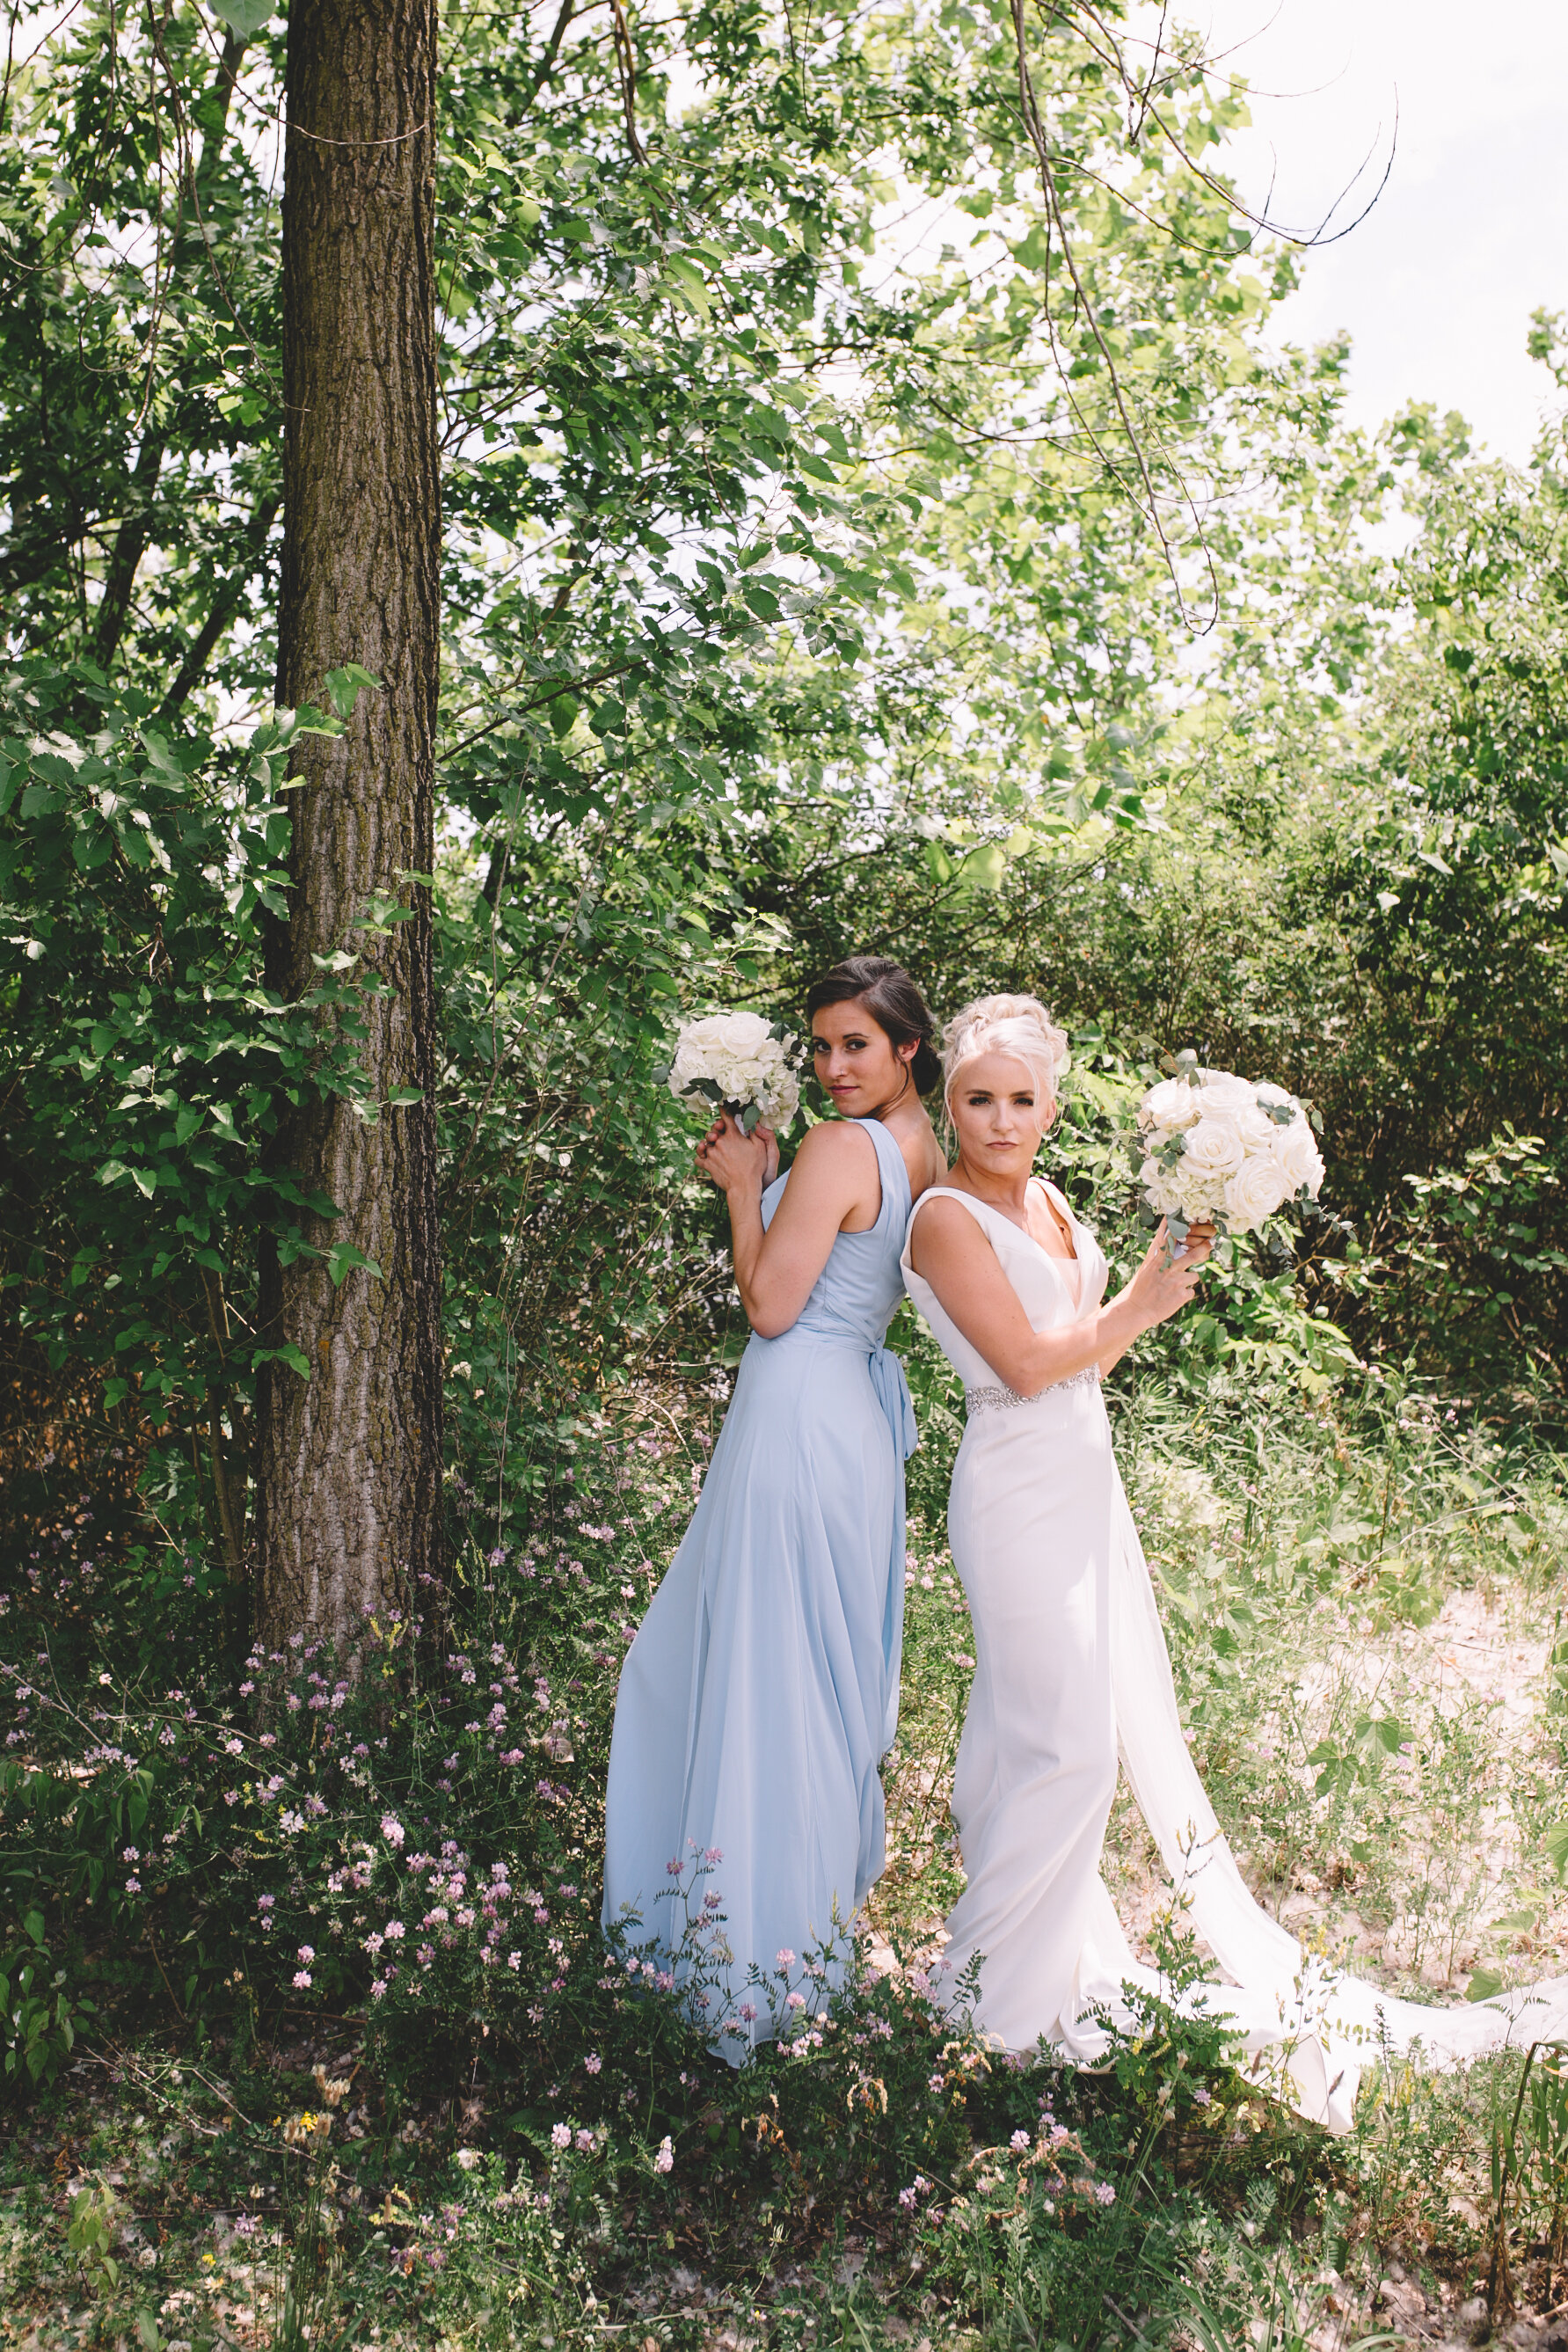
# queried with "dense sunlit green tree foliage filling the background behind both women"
point(803, 592)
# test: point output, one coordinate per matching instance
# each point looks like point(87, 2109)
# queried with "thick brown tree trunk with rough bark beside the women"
point(349, 1462)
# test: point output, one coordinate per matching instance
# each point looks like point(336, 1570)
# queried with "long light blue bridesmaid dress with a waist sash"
point(763, 1688)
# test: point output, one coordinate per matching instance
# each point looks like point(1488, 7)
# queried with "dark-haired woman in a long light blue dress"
point(763, 1688)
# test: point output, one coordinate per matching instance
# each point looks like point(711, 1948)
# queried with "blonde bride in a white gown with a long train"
point(1071, 1657)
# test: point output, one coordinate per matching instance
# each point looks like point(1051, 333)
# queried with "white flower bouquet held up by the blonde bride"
point(1217, 1149)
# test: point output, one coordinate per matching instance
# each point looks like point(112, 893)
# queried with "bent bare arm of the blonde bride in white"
point(953, 1255)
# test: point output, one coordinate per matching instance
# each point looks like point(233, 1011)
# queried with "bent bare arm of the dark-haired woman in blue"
point(833, 1180)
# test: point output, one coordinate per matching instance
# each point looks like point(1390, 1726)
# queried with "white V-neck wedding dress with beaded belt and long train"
point(1073, 1673)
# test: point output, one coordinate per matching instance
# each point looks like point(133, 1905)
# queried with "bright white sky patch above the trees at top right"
point(1473, 232)
